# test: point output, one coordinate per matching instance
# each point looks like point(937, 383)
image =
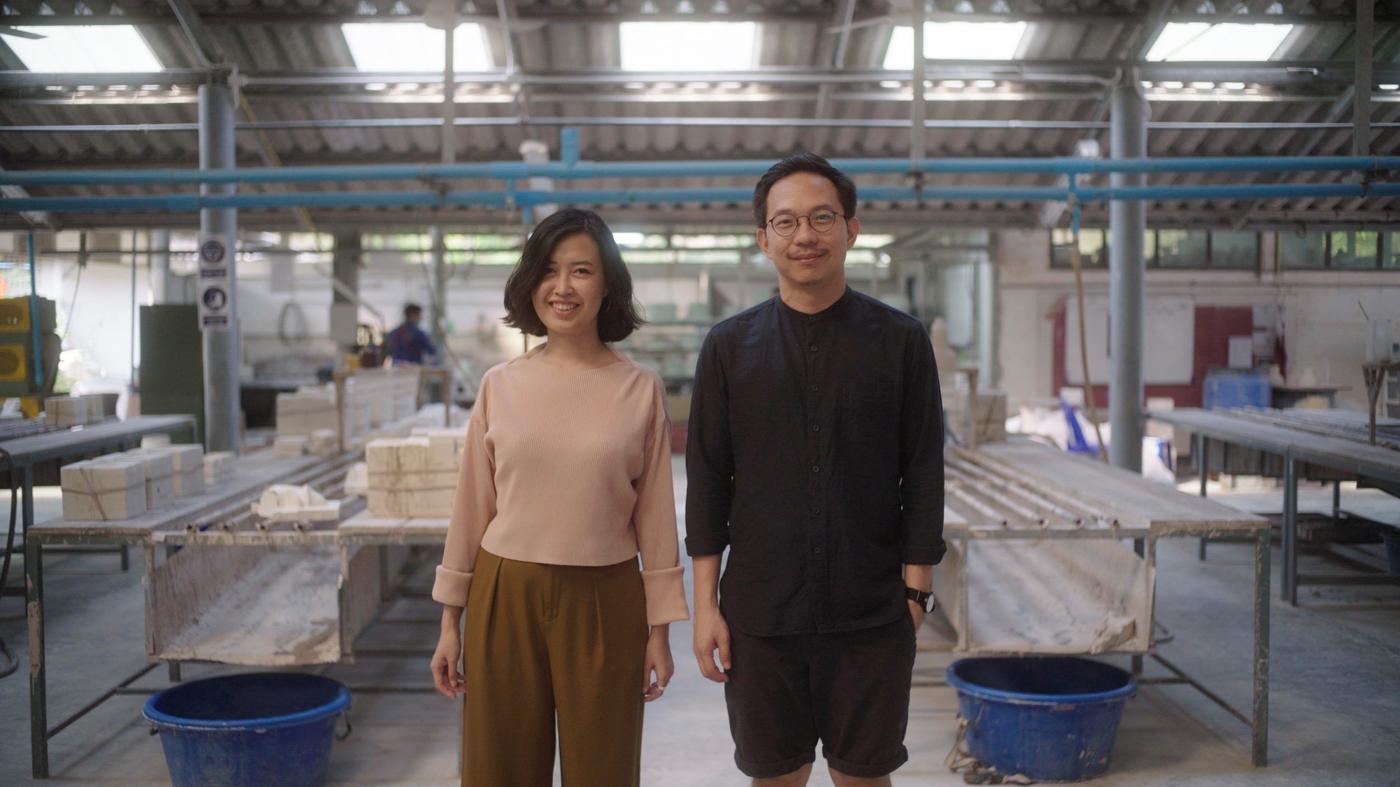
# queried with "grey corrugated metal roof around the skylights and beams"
point(572, 37)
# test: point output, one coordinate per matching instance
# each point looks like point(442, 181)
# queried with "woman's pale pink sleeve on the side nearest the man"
point(654, 520)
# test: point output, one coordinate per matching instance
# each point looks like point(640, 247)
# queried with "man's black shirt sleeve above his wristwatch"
point(922, 456)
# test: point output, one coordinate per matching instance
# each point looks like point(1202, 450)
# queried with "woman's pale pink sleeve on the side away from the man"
point(474, 508)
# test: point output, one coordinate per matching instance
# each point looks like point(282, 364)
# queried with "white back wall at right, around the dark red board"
point(1325, 333)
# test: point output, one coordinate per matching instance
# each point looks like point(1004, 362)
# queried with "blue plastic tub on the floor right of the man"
point(1052, 719)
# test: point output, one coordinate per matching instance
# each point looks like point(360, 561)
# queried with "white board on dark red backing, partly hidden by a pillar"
point(1170, 331)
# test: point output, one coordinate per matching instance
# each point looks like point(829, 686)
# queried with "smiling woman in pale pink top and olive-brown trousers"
point(566, 478)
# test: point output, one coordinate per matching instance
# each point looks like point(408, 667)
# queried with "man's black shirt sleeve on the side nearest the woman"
point(709, 457)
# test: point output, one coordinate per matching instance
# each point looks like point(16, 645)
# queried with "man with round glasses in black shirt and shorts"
point(815, 457)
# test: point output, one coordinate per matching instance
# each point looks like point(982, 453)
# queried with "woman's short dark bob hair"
point(618, 317)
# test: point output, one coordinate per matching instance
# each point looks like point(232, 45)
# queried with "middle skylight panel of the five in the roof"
point(689, 47)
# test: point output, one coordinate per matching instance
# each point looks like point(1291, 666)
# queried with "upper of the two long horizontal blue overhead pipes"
point(590, 170)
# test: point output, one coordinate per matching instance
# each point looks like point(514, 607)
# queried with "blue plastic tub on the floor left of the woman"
point(255, 730)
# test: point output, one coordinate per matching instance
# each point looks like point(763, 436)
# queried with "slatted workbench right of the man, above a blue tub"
point(1035, 499)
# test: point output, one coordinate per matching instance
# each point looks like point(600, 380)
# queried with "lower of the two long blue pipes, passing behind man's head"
point(178, 204)
